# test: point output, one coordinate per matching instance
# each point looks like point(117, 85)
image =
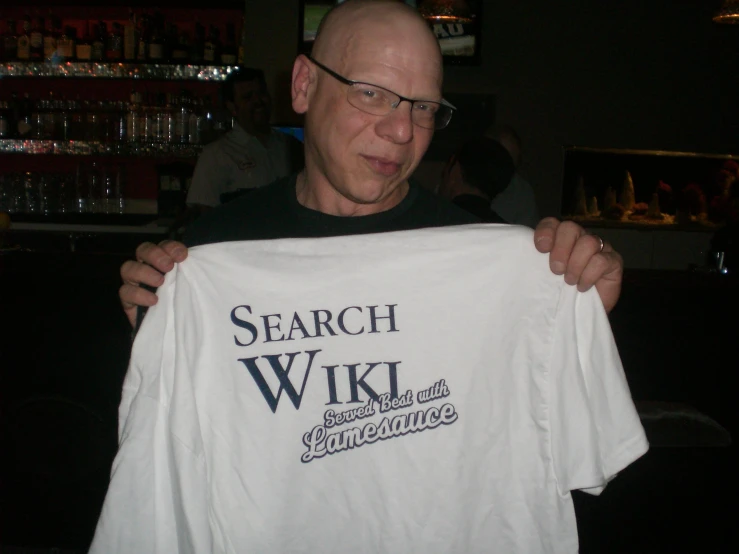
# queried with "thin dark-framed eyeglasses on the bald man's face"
point(376, 100)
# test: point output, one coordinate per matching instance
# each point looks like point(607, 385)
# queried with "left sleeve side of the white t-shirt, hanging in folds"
point(157, 481)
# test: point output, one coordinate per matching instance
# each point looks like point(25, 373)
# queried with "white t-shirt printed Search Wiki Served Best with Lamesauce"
point(430, 391)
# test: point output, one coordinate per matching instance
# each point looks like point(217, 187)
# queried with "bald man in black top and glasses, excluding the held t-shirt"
point(358, 163)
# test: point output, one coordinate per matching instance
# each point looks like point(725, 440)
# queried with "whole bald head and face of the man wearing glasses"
point(358, 161)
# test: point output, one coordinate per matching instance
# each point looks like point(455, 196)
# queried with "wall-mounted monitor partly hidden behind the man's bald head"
point(456, 24)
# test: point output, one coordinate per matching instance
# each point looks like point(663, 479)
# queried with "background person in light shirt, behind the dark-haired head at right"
point(517, 202)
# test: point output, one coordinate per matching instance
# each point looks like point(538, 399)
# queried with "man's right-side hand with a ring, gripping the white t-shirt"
point(583, 259)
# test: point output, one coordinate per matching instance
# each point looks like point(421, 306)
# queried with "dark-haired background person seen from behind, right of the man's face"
point(476, 175)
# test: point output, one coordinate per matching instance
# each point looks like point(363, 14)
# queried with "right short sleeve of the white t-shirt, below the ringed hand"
point(595, 431)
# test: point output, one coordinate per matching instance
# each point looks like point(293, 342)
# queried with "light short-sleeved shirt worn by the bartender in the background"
point(238, 161)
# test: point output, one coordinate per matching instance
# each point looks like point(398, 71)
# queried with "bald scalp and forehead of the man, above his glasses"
point(380, 25)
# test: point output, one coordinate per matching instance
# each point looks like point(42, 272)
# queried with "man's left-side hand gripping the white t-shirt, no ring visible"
point(152, 262)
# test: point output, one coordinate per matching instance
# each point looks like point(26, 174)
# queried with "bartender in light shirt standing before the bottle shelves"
point(251, 155)
